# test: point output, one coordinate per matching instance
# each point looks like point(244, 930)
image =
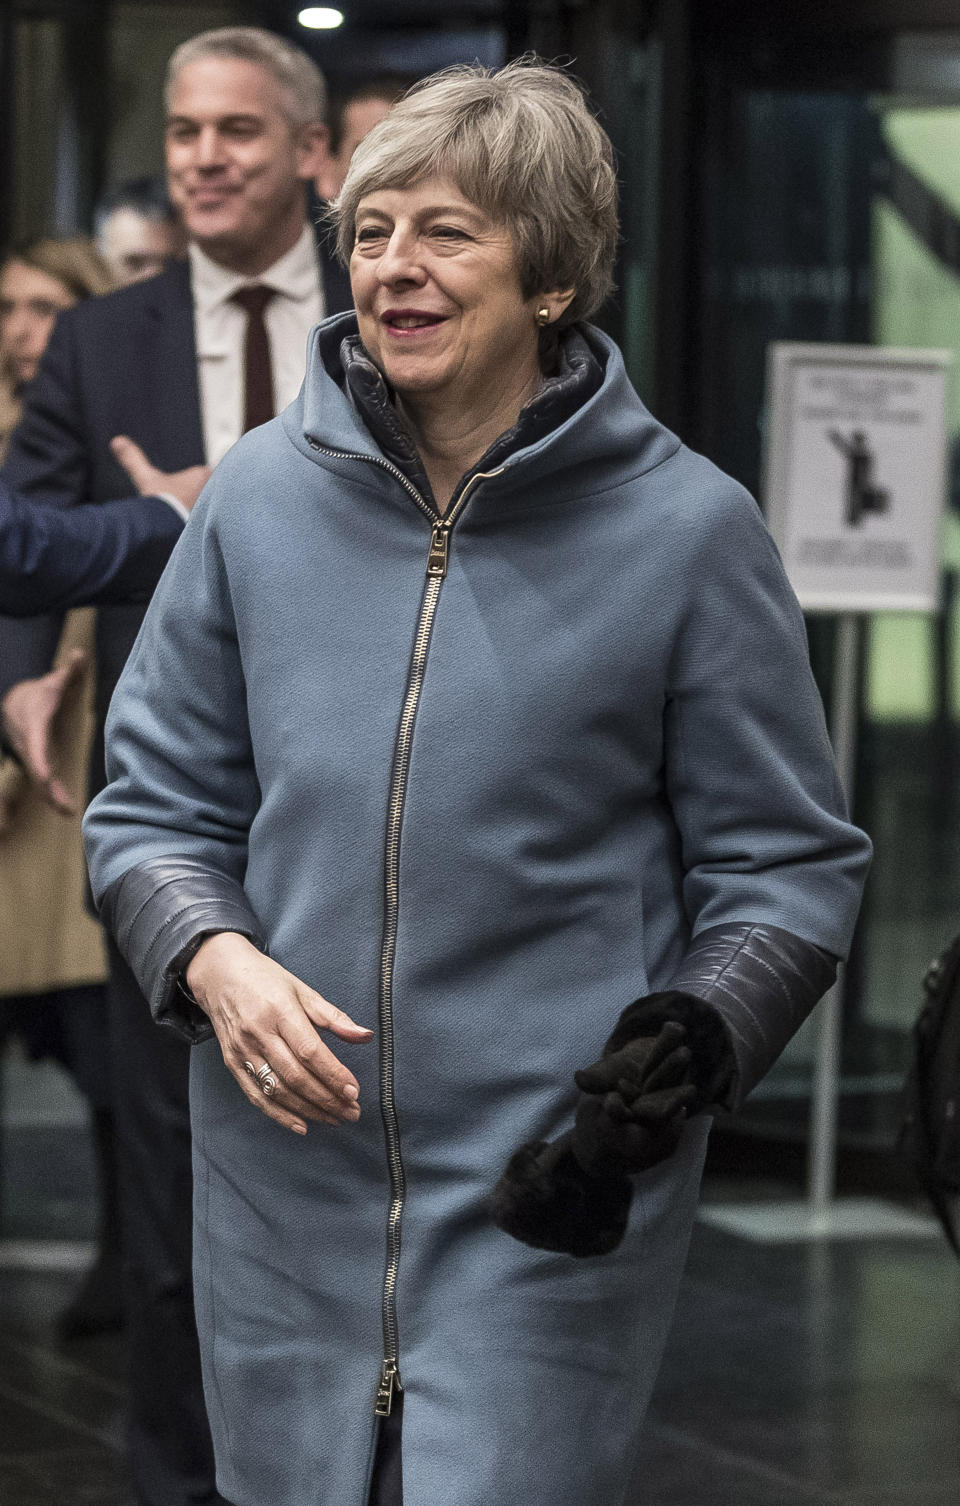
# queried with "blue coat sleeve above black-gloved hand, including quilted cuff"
point(772, 867)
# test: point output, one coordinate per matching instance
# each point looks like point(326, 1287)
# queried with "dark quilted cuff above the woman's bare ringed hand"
point(161, 912)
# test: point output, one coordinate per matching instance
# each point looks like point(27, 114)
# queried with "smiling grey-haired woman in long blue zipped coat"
point(492, 722)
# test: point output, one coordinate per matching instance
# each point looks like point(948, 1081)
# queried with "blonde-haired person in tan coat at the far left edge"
point(49, 944)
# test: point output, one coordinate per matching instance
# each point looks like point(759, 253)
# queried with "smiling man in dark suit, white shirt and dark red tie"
point(182, 364)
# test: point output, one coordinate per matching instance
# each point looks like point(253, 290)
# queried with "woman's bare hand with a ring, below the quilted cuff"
point(266, 1016)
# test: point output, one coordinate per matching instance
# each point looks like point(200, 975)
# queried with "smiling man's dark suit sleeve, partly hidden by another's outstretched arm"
point(47, 462)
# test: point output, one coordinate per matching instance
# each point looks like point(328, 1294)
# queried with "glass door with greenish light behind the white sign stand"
point(834, 215)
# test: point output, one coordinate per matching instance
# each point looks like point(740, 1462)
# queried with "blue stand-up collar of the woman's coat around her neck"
point(611, 437)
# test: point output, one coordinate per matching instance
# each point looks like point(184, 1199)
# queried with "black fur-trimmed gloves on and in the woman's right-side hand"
point(573, 1195)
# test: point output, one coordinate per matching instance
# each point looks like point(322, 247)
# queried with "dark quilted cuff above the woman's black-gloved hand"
point(762, 983)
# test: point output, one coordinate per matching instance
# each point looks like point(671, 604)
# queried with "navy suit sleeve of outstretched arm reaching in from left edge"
point(55, 558)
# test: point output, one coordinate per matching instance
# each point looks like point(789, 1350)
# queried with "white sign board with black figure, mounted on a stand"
point(857, 474)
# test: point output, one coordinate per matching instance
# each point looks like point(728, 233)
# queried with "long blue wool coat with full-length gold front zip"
point(602, 740)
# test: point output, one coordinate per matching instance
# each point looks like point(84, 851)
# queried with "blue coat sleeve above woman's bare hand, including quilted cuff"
point(168, 838)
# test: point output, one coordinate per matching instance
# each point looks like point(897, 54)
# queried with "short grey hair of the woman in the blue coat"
point(521, 144)
